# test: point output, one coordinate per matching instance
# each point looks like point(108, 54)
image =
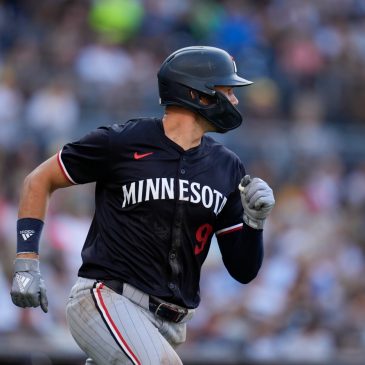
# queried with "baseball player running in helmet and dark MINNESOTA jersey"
point(163, 189)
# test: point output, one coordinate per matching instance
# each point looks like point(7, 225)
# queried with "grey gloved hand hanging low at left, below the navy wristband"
point(28, 289)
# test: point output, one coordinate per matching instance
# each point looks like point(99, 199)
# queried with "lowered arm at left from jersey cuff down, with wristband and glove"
point(28, 288)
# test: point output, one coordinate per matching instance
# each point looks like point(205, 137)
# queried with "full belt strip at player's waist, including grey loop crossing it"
point(170, 312)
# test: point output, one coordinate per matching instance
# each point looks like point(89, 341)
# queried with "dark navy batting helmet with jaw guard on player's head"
point(201, 68)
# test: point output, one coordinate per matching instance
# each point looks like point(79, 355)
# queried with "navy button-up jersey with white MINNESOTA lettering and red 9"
point(156, 206)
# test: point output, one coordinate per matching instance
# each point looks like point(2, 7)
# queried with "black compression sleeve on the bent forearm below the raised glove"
point(242, 252)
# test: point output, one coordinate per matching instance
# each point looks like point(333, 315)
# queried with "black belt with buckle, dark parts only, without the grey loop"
point(170, 312)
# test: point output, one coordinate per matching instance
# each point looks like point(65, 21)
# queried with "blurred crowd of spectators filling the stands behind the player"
point(68, 66)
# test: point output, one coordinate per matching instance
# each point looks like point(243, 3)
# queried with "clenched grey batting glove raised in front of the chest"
point(257, 199)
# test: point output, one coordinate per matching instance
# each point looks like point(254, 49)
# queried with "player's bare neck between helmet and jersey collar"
point(184, 127)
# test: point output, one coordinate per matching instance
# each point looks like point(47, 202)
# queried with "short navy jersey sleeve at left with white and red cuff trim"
point(87, 159)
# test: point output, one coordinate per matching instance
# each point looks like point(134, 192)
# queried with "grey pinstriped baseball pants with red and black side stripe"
point(114, 329)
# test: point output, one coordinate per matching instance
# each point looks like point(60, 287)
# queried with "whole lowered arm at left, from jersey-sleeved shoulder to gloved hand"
point(80, 162)
